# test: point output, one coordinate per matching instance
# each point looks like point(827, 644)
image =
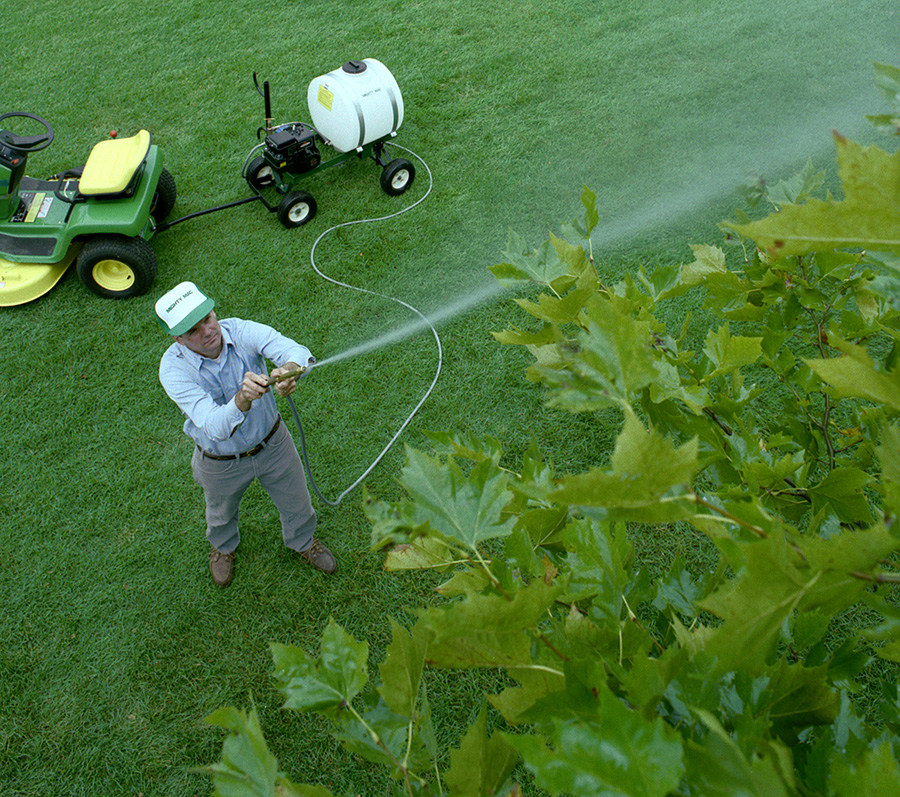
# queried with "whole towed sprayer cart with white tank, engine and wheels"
point(355, 110)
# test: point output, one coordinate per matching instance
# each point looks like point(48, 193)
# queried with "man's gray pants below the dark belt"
point(279, 471)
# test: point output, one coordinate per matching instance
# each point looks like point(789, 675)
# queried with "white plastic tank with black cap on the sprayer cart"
point(356, 104)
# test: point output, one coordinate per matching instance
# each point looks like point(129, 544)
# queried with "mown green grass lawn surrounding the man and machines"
point(115, 644)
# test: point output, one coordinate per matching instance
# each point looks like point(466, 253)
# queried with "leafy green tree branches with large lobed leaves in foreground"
point(773, 435)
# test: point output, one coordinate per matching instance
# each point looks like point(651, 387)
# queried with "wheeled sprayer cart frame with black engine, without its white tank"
point(299, 207)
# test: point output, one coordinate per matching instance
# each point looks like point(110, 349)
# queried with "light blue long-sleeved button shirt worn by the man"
point(204, 388)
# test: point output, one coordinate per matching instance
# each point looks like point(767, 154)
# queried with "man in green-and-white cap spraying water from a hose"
point(215, 371)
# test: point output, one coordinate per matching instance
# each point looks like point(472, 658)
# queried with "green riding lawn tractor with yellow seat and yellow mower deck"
point(99, 216)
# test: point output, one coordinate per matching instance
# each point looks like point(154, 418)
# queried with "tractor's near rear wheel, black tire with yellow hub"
point(116, 267)
